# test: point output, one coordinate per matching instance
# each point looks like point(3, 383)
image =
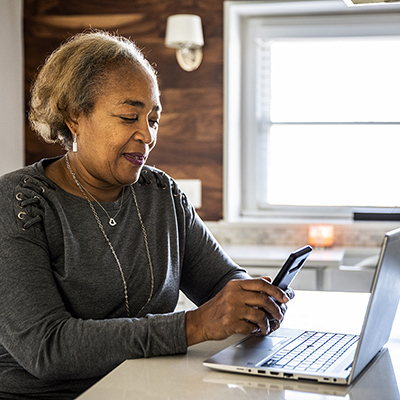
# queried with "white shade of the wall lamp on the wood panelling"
point(184, 29)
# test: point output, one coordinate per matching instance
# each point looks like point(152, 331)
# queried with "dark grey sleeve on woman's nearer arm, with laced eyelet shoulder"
point(35, 327)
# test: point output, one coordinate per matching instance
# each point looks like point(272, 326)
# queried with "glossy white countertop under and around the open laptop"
point(184, 377)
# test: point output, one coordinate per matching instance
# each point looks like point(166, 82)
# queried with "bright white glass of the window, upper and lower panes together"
point(333, 107)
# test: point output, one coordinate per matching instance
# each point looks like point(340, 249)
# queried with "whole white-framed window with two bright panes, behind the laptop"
point(313, 126)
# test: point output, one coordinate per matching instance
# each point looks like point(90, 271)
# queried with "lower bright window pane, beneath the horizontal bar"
point(342, 165)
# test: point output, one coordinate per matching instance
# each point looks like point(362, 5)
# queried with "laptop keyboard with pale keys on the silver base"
point(312, 352)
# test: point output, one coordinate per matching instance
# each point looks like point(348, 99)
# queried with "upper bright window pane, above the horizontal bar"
point(335, 79)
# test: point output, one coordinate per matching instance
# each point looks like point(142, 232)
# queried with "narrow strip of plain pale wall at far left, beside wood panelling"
point(11, 86)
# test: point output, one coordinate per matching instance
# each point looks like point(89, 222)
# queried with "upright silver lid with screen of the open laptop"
point(382, 305)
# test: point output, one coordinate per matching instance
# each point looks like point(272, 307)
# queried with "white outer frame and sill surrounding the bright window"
point(235, 163)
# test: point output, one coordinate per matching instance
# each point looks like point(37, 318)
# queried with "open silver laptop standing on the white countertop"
point(336, 358)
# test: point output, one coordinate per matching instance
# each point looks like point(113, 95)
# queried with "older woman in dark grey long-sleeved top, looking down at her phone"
point(95, 245)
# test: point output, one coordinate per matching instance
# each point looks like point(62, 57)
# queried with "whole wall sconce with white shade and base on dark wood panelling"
point(185, 34)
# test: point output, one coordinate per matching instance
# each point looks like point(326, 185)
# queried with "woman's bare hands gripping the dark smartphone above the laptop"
point(242, 306)
